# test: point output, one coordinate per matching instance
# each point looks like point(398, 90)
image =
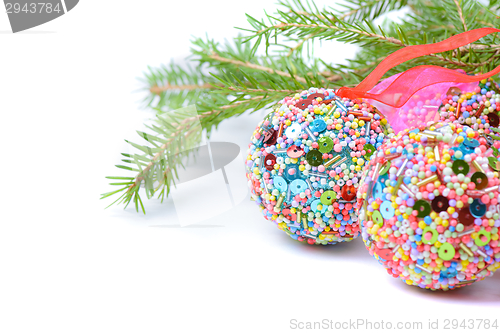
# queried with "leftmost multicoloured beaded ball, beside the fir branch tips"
point(305, 160)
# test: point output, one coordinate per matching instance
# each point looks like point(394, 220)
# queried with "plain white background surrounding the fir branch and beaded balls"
point(67, 103)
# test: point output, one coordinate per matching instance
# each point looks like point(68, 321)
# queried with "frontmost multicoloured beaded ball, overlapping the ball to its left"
point(429, 208)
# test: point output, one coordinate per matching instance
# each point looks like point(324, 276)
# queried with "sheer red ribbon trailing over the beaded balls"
point(412, 80)
